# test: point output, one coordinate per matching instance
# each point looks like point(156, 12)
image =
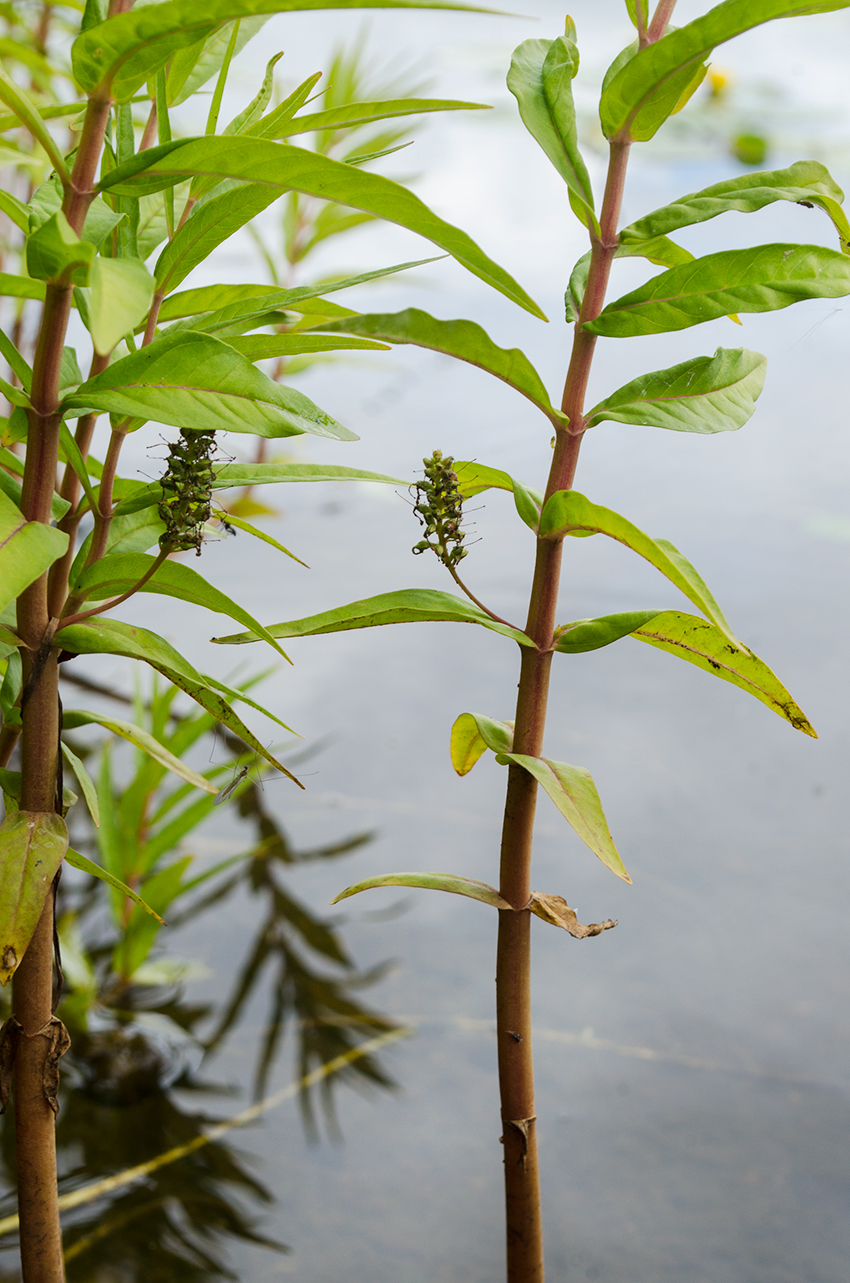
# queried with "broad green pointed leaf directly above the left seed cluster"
point(197, 382)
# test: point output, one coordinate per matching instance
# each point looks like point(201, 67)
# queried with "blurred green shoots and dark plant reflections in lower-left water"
point(133, 1073)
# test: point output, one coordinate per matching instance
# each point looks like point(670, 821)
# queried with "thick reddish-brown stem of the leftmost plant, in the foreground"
point(33, 983)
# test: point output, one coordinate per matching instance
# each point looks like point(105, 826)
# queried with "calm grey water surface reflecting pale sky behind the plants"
point(693, 1064)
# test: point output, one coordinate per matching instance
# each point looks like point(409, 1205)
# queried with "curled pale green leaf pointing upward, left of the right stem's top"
point(540, 79)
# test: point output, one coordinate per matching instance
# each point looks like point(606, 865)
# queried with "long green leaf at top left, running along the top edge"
point(121, 55)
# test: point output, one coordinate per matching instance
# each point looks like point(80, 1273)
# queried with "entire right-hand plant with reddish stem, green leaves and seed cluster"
point(647, 84)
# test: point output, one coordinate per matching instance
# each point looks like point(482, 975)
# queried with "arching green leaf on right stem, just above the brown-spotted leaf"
point(570, 514)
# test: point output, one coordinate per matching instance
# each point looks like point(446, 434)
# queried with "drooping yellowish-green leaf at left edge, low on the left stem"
point(33, 845)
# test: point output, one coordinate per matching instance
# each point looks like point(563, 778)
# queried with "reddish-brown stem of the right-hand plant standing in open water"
point(513, 956)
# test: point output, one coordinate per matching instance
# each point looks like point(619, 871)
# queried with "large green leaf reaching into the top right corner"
point(648, 75)
